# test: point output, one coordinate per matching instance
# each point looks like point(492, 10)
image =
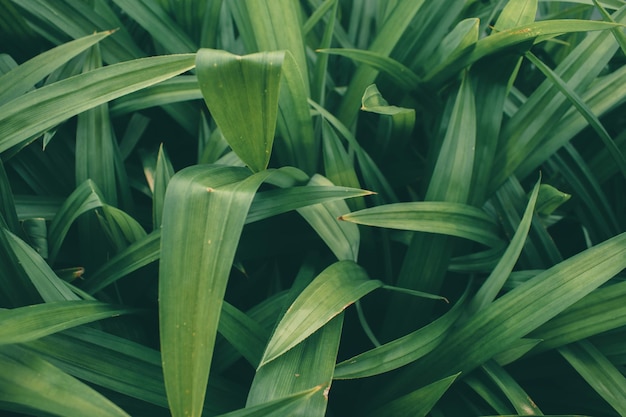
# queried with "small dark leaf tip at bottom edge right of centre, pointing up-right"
point(418, 403)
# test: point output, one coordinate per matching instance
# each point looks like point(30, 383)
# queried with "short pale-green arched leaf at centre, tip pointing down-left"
point(331, 292)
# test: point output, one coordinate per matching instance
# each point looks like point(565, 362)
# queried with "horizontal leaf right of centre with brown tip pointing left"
point(454, 219)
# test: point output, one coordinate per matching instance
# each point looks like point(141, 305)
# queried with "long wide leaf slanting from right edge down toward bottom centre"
point(522, 310)
